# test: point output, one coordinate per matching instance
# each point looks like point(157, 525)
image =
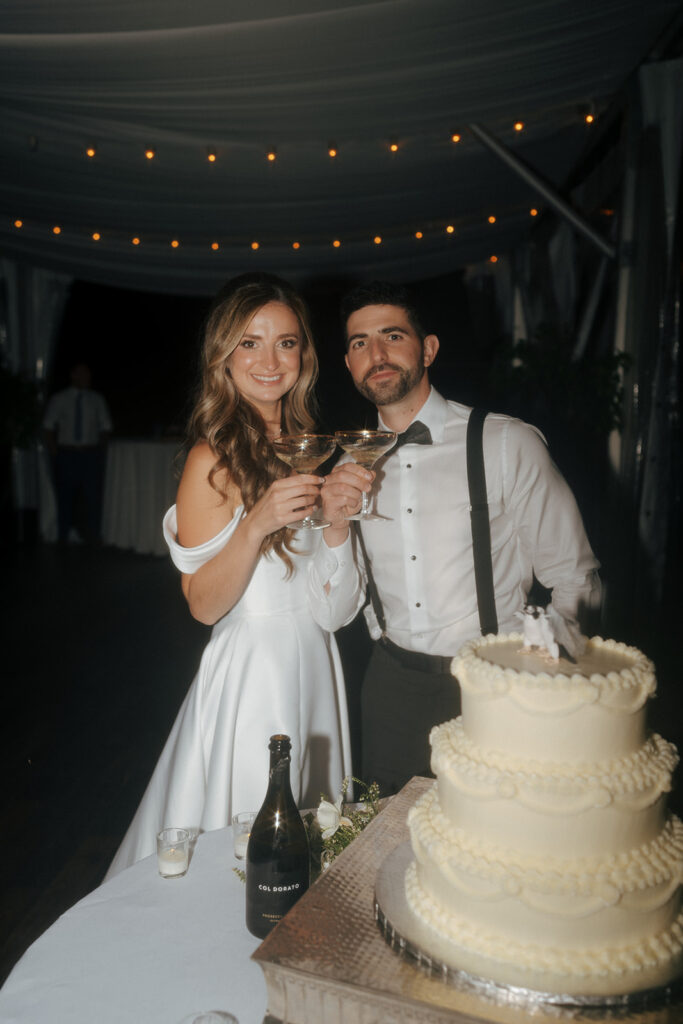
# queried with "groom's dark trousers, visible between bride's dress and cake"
point(400, 707)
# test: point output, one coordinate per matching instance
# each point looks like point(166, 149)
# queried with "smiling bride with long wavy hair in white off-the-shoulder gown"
point(268, 668)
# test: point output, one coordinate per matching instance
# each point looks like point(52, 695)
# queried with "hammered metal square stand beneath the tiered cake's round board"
point(328, 962)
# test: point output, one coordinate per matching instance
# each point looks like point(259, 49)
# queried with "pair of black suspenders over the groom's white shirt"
point(484, 571)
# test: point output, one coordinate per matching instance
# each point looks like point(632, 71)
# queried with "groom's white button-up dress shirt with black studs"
point(422, 557)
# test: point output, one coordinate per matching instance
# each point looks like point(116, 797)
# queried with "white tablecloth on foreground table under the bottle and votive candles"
point(146, 951)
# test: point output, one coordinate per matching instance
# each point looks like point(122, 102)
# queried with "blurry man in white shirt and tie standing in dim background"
point(76, 424)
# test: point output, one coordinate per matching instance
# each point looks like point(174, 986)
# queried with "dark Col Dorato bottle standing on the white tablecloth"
point(278, 865)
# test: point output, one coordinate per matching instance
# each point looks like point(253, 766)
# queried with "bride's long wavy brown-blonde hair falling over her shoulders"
point(235, 431)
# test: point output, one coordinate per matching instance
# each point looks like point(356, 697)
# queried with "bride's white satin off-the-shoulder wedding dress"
point(269, 668)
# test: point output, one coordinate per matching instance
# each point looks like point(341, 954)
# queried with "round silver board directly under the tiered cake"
point(408, 936)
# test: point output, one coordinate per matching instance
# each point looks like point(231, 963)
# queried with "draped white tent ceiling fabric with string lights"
point(242, 76)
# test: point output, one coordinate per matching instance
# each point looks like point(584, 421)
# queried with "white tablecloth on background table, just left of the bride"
point(140, 486)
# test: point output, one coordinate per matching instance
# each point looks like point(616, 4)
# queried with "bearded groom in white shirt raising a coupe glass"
point(421, 557)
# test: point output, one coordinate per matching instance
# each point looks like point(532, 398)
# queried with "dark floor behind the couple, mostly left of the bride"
point(99, 653)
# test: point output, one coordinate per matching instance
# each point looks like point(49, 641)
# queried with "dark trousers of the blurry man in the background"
point(79, 479)
